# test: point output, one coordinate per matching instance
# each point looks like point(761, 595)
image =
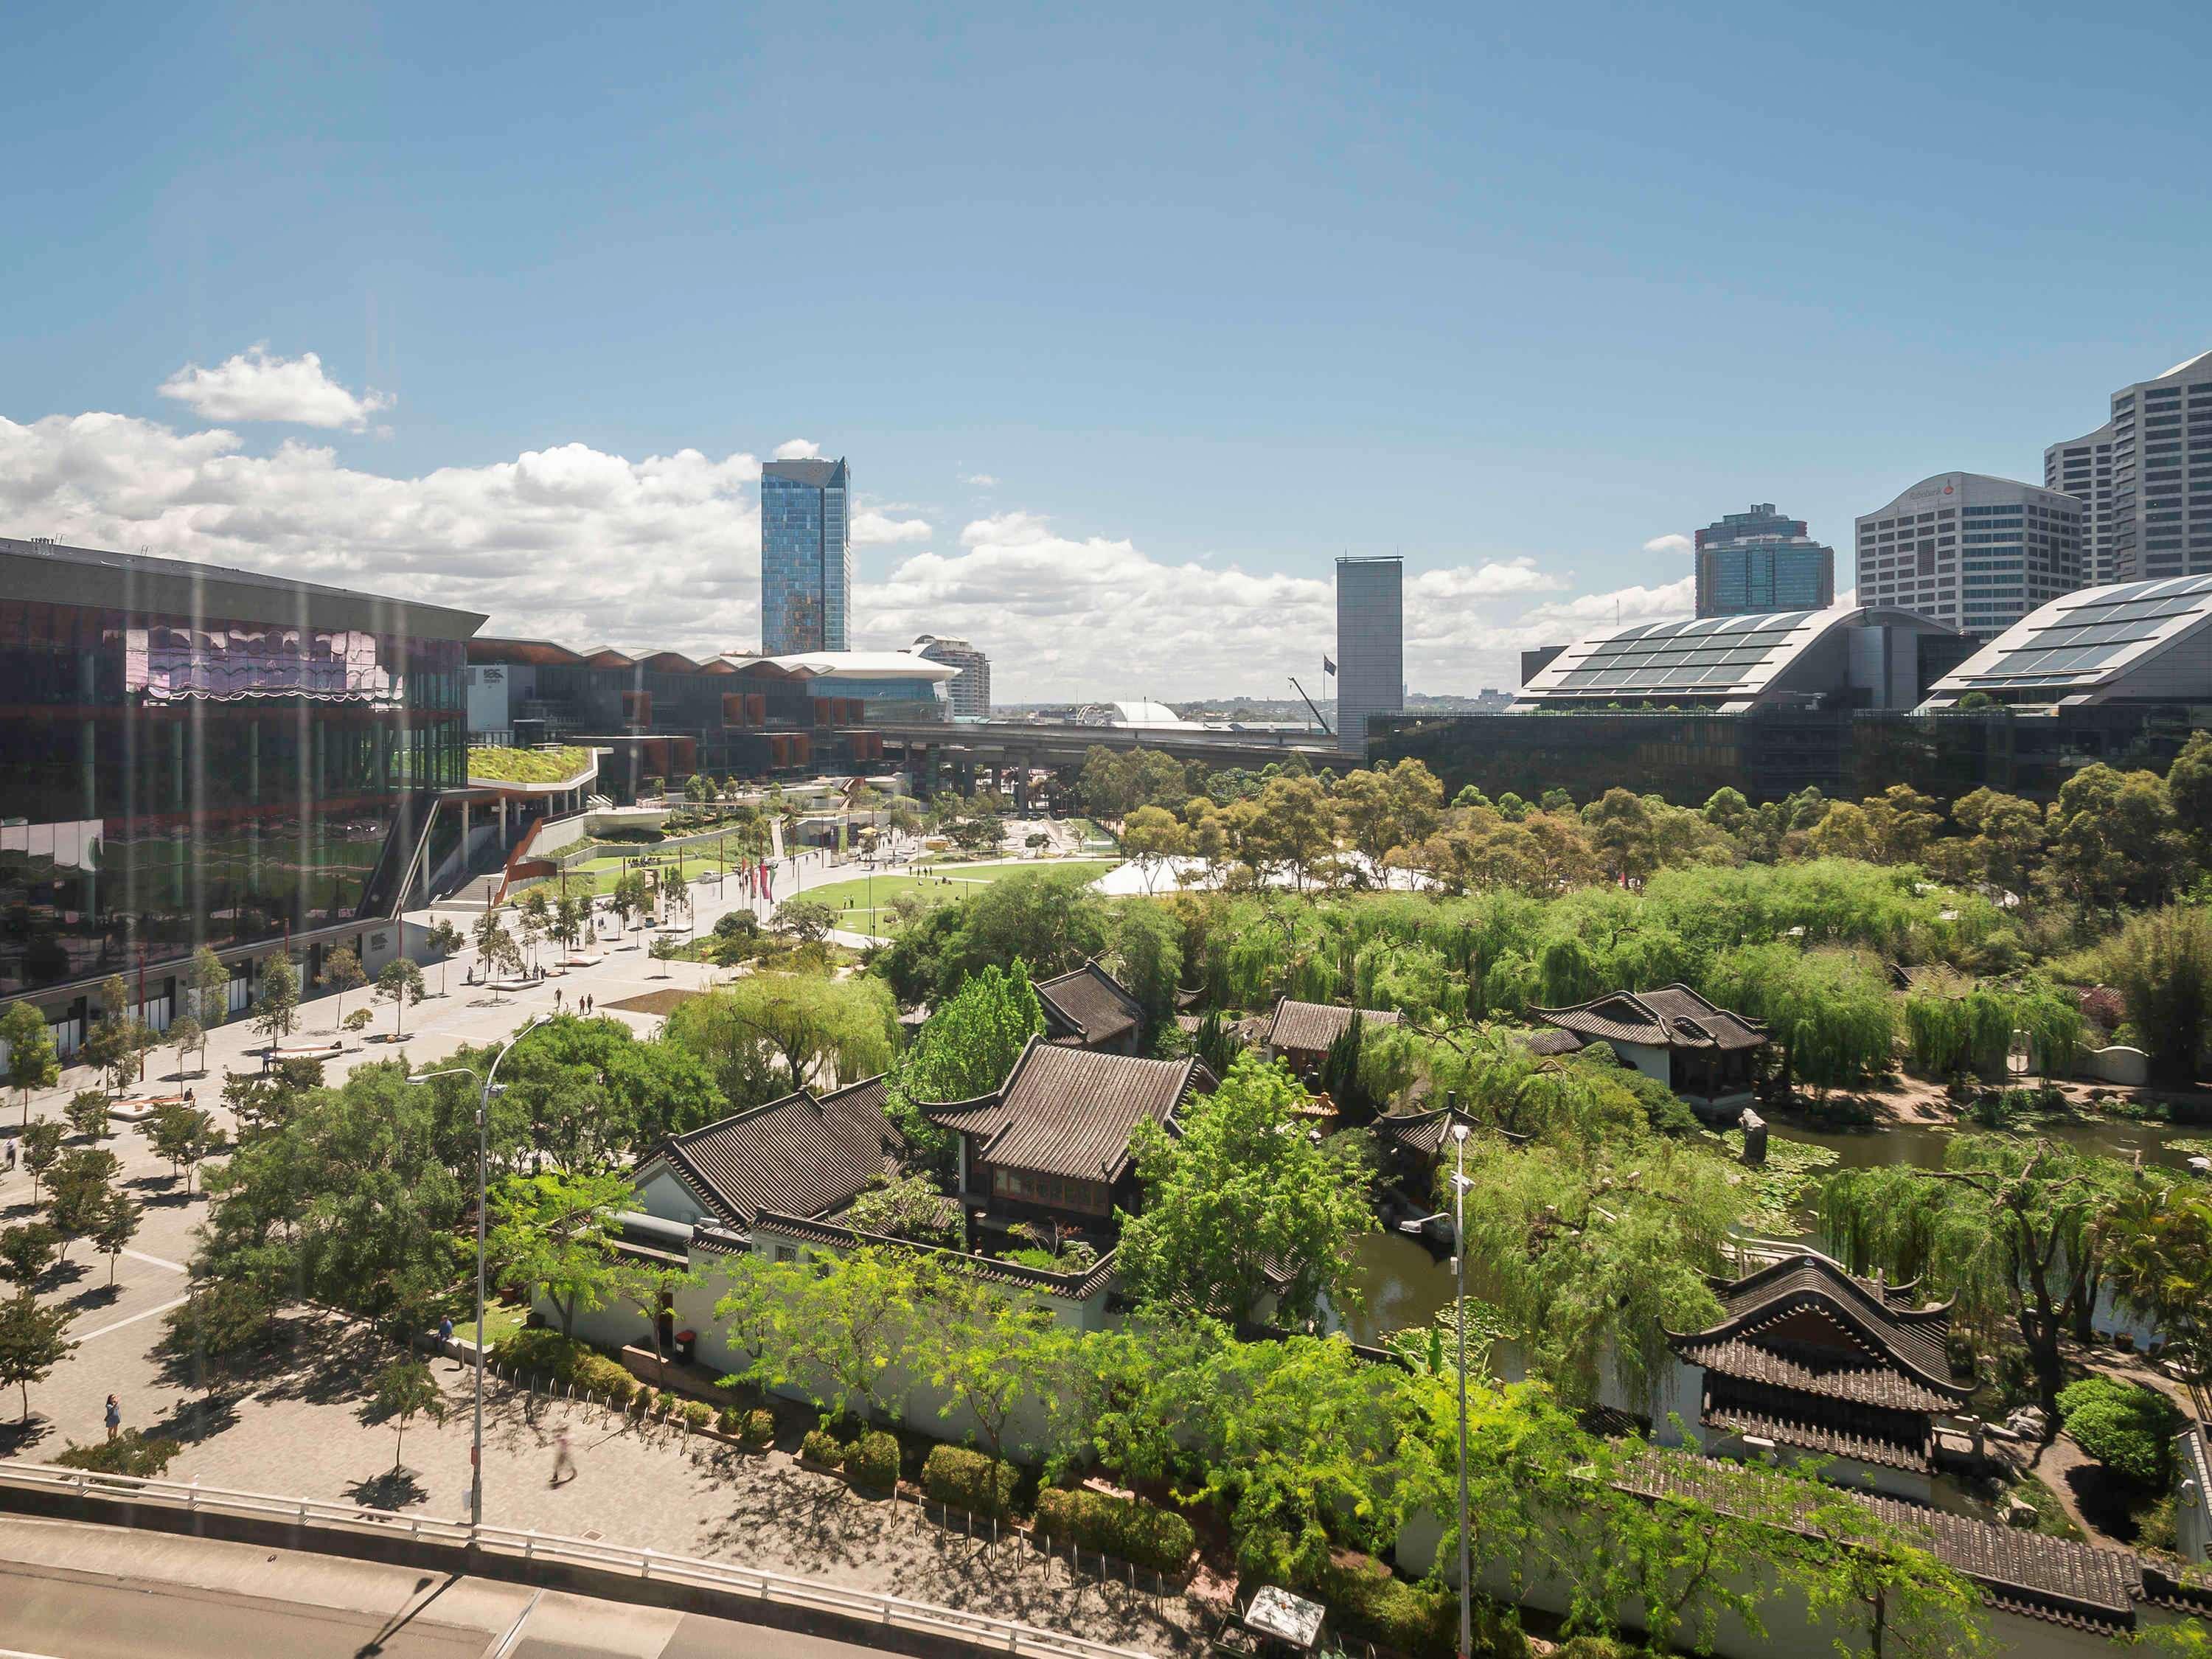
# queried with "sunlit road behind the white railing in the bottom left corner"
point(74, 1592)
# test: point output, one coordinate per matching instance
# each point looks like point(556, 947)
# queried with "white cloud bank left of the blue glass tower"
point(565, 541)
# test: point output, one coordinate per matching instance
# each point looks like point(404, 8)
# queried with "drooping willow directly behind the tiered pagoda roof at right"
point(2005, 1229)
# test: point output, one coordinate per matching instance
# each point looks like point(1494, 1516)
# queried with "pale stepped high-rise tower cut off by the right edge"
point(2147, 479)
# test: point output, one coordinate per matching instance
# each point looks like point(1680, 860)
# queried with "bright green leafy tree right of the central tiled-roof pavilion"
point(1244, 1207)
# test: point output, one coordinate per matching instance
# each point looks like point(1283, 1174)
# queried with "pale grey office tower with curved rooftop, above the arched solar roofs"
point(1972, 552)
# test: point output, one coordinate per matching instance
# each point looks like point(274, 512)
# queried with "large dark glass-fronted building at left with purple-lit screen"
point(207, 758)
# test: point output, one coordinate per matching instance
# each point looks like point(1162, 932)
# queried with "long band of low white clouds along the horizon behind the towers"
point(587, 547)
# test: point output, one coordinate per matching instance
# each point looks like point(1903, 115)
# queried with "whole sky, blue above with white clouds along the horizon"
point(1207, 300)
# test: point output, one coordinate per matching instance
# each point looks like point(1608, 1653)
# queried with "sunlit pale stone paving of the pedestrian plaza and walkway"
point(300, 1426)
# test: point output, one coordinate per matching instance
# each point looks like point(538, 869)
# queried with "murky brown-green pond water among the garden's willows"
point(1404, 1286)
